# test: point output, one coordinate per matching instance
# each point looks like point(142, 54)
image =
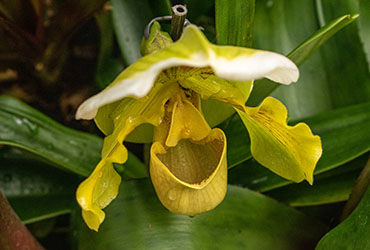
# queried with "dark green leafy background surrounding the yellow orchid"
point(56, 53)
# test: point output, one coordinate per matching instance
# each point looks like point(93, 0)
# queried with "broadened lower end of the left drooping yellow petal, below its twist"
point(96, 192)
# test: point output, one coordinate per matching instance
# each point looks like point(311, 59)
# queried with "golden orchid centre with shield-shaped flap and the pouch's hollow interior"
point(189, 153)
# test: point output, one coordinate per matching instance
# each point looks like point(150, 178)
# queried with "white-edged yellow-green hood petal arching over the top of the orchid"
point(193, 50)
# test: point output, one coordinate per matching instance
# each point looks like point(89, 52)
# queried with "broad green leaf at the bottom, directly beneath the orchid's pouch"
point(245, 220)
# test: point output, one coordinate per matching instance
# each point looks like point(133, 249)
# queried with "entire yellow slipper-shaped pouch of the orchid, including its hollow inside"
point(191, 177)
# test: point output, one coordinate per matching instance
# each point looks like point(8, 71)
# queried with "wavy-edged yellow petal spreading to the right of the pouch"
point(291, 152)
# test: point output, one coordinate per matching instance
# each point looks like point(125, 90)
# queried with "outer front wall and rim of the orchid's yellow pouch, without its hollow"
point(184, 198)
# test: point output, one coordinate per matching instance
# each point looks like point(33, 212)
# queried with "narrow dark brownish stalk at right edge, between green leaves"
point(359, 189)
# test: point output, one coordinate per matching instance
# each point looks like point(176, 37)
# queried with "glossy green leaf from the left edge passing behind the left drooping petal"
point(71, 150)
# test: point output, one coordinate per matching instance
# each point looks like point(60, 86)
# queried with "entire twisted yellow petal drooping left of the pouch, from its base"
point(101, 187)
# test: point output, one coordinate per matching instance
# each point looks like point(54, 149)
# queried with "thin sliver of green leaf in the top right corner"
point(364, 27)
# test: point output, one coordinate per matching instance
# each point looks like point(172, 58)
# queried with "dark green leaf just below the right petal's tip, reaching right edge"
point(329, 187)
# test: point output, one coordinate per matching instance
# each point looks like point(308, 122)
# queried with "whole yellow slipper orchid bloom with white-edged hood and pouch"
point(167, 89)
